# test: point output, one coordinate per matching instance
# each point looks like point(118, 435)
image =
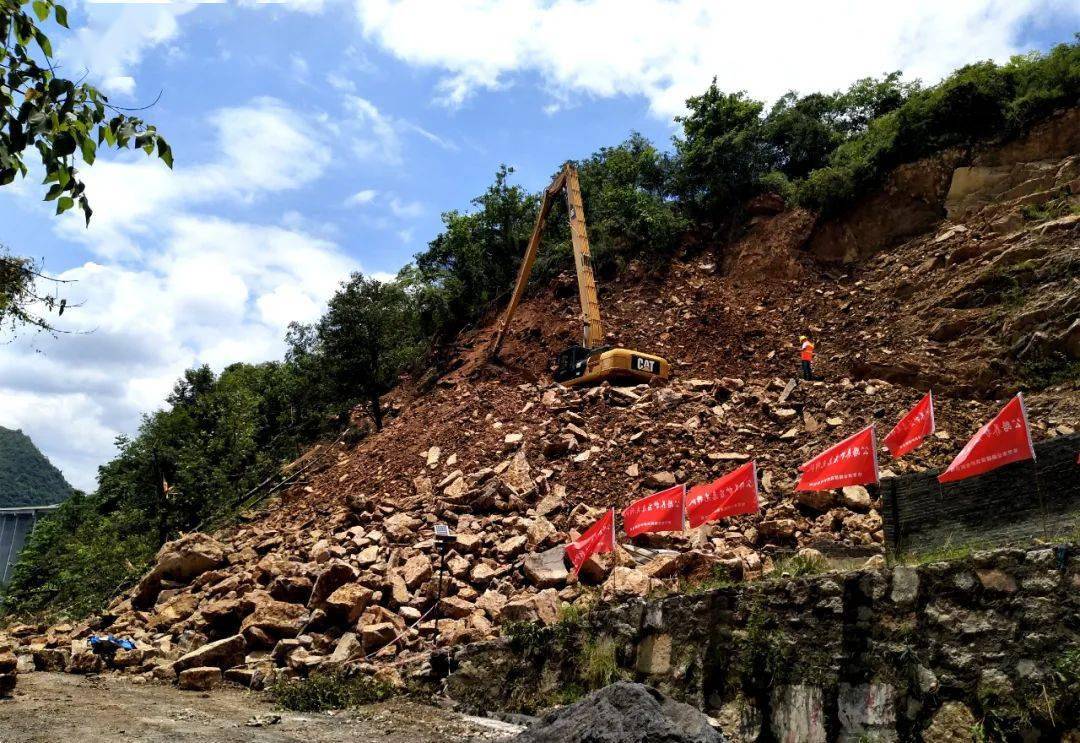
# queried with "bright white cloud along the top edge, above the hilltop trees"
point(669, 50)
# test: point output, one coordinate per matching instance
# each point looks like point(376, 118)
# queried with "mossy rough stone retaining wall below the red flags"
point(929, 653)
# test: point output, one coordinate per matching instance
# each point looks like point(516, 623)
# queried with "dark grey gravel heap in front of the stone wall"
point(624, 713)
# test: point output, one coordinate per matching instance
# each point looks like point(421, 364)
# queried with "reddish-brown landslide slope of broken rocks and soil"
point(971, 290)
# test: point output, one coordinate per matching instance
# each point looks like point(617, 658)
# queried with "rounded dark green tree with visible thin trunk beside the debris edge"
point(369, 335)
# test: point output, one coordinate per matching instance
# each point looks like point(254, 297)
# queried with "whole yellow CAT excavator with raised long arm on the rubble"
point(591, 362)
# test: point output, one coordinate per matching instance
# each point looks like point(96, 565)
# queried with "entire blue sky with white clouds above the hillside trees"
point(318, 138)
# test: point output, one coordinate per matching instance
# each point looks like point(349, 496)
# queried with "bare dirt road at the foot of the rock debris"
point(64, 709)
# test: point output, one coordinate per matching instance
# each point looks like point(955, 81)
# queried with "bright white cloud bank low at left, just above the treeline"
point(218, 292)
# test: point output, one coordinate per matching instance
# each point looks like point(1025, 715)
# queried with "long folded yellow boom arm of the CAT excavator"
point(593, 333)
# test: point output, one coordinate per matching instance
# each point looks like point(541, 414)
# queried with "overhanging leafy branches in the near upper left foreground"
point(62, 123)
